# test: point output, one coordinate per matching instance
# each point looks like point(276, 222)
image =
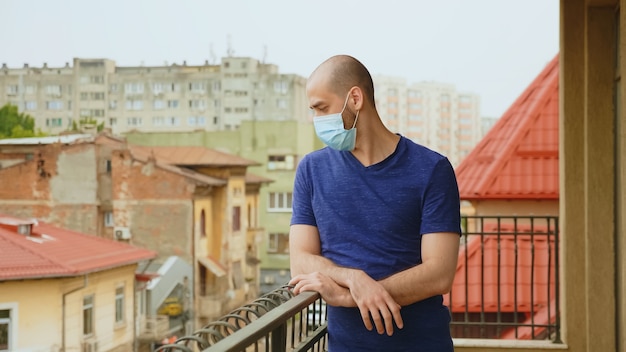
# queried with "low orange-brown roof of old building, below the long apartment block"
point(192, 156)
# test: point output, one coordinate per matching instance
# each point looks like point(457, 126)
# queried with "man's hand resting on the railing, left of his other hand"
point(331, 292)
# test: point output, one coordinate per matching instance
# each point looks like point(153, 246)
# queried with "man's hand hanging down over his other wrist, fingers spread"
point(375, 303)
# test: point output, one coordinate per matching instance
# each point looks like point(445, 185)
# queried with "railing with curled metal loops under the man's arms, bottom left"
point(276, 322)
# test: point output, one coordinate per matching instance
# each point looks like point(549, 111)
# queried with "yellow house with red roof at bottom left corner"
point(62, 290)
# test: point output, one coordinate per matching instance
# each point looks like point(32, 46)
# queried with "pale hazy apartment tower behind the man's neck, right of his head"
point(430, 113)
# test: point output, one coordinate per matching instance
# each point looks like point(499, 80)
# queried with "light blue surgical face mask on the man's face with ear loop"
point(329, 129)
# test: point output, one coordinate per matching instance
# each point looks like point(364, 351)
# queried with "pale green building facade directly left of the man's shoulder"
point(276, 147)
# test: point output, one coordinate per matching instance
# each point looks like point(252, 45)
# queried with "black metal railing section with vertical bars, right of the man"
point(507, 280)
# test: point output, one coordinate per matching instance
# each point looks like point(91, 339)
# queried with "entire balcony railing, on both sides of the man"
point(506, 287)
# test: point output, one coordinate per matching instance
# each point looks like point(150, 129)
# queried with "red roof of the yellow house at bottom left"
point(55, 252)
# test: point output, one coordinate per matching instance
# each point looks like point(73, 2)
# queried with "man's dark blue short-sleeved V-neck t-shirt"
point(373, 218)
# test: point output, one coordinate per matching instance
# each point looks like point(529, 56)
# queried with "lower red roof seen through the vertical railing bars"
point(528, 258)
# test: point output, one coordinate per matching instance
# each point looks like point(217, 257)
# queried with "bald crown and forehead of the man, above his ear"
point(342, 72)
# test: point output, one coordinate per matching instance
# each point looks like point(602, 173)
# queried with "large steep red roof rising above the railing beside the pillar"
point(518, 158)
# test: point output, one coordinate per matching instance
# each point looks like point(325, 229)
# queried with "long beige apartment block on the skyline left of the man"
point(175, 97)
